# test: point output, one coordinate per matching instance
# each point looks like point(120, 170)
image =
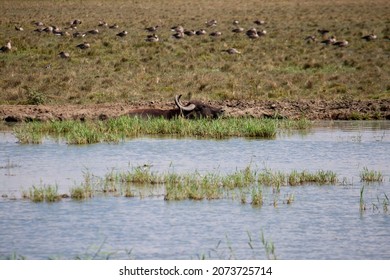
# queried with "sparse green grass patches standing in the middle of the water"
point(247, 185)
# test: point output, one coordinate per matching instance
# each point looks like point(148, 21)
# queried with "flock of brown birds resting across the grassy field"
point(179, 32)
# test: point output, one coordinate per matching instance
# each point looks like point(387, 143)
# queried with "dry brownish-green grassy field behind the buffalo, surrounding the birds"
point(279, 65)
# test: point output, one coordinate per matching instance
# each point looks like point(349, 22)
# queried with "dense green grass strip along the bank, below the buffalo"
point(118, 129)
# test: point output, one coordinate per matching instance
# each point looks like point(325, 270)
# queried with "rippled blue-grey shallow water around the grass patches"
point(323, 222)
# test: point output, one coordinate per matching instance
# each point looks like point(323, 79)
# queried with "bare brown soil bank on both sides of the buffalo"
point(313, 110)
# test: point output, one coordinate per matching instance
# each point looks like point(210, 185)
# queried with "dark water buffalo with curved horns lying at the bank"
point(192, 110)
